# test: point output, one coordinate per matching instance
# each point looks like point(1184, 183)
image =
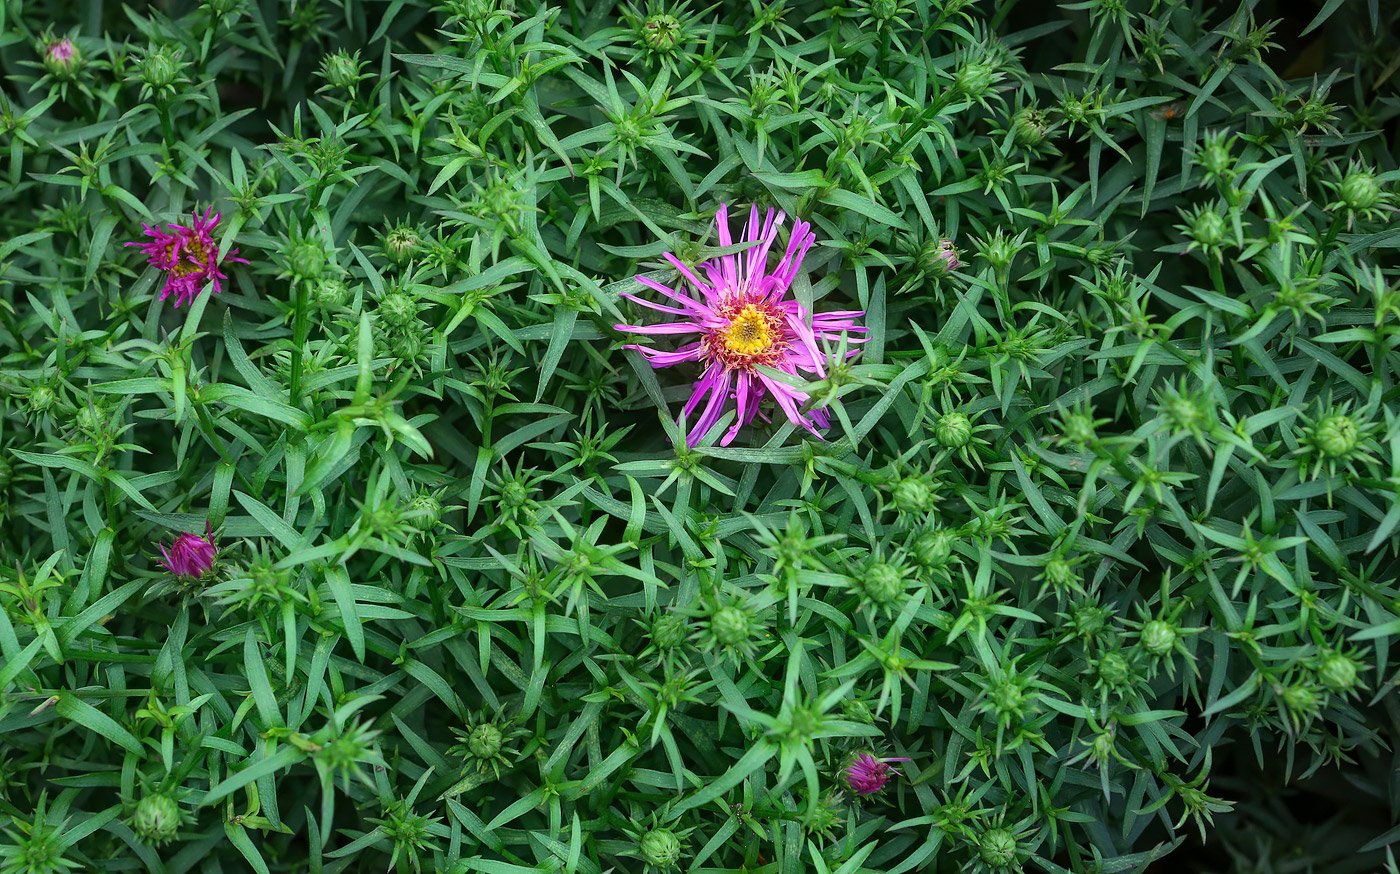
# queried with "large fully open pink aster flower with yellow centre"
point(740, 317)
